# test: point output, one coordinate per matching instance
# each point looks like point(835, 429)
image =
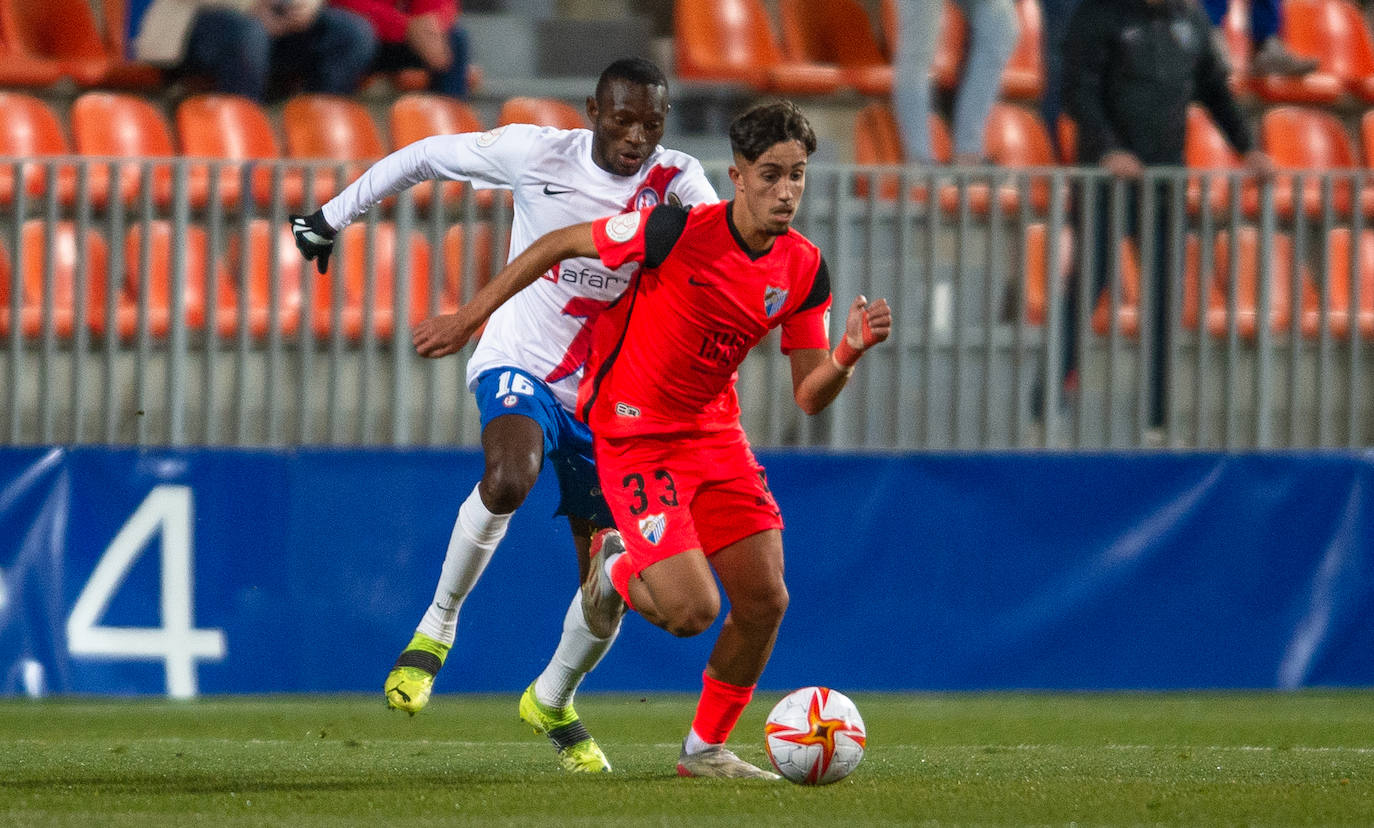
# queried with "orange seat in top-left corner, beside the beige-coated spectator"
point(65, 32)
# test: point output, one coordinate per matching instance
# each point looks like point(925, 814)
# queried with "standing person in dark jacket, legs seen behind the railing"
point(1131, 71)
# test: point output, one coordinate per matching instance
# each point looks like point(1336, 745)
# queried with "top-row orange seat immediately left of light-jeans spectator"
point(836, 32)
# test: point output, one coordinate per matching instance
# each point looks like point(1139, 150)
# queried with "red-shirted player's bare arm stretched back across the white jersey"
point(447, 334)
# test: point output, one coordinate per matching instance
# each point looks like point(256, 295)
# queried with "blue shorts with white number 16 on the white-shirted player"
point(568, 444)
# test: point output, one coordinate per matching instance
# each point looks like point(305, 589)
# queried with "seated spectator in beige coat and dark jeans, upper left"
point(255, 47)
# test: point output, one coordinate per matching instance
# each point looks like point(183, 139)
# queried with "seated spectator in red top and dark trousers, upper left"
point(418, 34)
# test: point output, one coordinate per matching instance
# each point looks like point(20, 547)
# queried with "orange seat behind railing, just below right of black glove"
point(355, 256)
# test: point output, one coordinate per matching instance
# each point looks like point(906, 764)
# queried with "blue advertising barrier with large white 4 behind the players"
point(188, 572)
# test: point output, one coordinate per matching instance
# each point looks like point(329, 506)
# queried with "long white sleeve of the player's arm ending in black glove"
point(487, 160)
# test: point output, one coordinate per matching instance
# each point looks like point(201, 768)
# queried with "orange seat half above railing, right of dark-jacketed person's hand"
point(1309, 139)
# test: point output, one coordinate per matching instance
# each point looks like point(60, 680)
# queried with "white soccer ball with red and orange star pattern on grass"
point(815, 737)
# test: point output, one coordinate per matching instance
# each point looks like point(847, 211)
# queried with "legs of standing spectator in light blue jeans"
point(993, 36)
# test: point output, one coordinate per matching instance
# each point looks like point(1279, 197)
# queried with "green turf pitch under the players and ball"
point(939, 760)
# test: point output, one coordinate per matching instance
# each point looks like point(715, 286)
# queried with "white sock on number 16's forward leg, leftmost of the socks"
point(476, 535)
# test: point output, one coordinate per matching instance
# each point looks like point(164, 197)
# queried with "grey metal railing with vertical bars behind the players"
point(186, 318)
